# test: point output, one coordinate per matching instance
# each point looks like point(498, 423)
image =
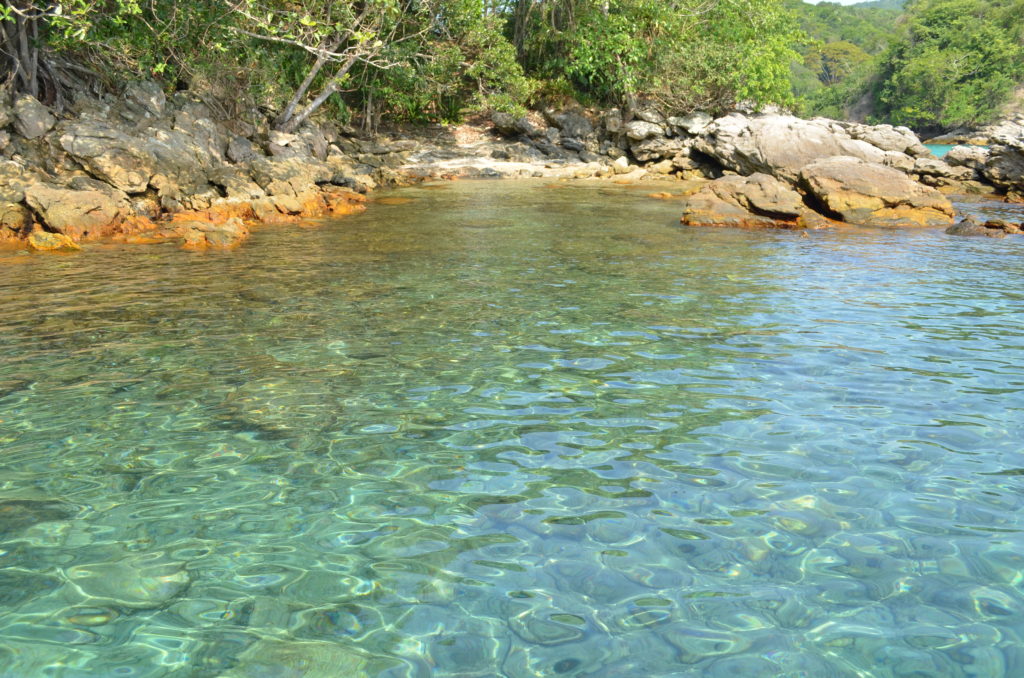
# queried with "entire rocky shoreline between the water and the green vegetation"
point(145, 168)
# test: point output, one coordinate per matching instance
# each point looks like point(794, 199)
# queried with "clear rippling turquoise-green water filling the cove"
point(505, 430)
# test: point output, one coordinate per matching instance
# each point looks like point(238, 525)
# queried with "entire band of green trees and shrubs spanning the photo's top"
point(935, 63)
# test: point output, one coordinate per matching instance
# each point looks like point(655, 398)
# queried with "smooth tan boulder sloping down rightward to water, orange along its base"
point(871, 195)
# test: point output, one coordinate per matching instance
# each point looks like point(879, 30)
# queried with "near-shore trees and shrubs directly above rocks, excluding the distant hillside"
point(411, 60)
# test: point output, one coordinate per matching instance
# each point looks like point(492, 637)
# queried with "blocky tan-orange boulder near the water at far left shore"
point(76, 214)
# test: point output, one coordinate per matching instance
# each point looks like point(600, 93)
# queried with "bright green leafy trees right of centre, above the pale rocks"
point(686, 55)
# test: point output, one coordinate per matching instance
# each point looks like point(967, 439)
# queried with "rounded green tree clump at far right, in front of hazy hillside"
point(957, 65)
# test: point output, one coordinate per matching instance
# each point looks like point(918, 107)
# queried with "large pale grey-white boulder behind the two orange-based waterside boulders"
point(778, 145)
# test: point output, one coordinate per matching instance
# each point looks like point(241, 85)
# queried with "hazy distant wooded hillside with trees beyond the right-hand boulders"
point(940, 64)
